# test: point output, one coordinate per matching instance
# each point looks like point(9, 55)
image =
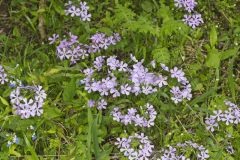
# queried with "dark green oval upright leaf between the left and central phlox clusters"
point(69, 91)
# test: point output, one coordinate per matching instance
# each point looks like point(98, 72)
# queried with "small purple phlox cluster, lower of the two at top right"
point(193, 20)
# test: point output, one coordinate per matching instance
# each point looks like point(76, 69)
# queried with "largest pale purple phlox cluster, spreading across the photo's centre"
point(139, 79)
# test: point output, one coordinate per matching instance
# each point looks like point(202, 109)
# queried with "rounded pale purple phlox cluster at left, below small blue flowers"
point(28, 107)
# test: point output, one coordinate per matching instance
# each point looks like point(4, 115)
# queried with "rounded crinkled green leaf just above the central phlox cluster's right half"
point(161, 55)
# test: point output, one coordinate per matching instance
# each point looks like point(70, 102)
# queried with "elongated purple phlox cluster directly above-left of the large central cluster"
point(74, 51)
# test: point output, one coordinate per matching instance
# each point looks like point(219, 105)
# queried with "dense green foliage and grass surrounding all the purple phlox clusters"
point(150, 29)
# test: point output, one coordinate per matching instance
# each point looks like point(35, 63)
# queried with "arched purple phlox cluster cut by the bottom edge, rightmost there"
point(173, 153)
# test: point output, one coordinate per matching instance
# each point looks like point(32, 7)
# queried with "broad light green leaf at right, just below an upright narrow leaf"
point(213, 59)
